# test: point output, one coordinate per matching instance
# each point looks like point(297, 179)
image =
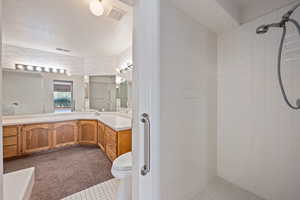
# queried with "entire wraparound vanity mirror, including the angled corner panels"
point(37, 92)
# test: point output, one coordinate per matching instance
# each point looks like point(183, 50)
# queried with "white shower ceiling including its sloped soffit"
point(223, 15)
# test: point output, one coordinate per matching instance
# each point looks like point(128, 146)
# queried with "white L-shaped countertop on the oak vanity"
point(114, 120)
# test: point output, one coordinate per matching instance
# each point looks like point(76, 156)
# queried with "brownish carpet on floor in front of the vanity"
point(64, 172)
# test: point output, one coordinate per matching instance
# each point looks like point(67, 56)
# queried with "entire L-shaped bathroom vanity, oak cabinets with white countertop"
point(24, 135)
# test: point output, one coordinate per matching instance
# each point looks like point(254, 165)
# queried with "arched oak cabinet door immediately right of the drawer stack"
point(36, 138)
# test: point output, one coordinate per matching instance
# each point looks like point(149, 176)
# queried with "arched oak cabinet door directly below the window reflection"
point(65, 133)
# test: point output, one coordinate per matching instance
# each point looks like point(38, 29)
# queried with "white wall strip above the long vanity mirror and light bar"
point(89, 65)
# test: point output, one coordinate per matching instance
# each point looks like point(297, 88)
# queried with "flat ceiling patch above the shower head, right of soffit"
point(251, 9)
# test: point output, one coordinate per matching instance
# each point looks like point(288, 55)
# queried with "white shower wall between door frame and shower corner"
point(188, 105)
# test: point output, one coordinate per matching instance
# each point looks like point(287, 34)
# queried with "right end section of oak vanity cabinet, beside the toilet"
point(117, 142)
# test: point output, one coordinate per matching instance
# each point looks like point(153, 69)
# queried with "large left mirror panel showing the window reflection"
point(34, 93)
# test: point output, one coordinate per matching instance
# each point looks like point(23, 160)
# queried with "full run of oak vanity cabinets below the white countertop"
point(25, 139)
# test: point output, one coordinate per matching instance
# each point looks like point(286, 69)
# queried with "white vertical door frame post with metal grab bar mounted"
point(146, 96)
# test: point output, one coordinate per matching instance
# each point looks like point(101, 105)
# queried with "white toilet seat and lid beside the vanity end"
point(123, 163)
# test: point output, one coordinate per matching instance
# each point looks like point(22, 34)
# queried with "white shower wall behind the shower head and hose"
point(258, 135)
